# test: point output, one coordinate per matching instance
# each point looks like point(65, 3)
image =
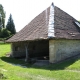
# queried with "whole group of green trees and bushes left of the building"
point(8, 30)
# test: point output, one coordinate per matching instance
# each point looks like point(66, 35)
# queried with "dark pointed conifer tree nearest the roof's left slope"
point(10, 25)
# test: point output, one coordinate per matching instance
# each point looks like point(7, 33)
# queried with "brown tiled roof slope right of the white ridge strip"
point(65, 26)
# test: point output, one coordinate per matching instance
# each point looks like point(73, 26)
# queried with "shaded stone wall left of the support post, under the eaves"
point(18, 49)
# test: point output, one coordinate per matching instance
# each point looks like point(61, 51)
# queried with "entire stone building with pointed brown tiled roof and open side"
point(53, 34)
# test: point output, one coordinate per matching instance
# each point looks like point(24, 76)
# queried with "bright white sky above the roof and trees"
point(23, 11)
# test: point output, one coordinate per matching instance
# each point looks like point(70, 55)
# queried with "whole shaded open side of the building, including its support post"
point(31, 49)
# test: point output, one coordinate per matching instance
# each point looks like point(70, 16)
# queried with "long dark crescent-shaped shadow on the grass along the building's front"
point(56, 66)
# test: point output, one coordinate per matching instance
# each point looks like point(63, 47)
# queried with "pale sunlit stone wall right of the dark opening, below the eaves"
point(62, 49)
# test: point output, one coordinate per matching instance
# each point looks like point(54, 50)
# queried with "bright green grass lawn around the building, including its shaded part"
point(67, 70)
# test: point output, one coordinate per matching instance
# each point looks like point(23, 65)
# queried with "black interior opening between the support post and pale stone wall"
point(39, 50)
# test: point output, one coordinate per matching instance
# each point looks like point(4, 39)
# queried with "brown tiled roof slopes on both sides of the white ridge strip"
point(64, 27)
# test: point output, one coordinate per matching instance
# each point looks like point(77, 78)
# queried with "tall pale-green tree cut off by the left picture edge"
point(2, 17)
